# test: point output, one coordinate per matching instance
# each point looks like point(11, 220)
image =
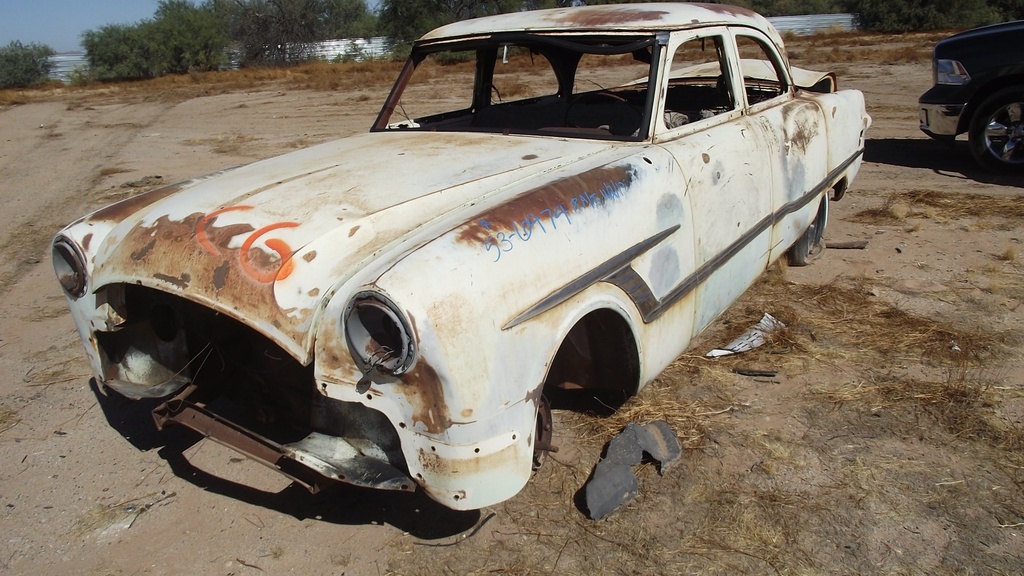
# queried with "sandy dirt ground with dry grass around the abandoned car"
point(888, 442)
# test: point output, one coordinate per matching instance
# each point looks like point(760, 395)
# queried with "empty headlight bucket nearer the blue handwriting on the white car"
point(378, 335)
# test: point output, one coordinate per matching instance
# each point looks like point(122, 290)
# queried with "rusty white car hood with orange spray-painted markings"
point(268, 242)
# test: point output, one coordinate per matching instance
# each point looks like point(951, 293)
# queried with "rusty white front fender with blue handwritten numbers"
point(465, 408)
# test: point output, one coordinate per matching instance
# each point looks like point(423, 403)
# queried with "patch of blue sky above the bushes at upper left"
point(60, 24)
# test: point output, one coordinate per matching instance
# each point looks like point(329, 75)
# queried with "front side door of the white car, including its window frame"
point(726, 172)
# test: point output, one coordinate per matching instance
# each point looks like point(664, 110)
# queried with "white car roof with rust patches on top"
point(607, 18)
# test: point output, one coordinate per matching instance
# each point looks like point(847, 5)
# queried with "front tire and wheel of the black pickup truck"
point(997, 135)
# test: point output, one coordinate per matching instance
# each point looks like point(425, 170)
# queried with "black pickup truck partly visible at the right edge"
point(979, 91)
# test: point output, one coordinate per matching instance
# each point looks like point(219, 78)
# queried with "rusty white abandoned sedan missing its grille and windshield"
point(558, 198)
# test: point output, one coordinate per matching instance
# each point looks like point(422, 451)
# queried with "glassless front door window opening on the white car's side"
point(699, 83)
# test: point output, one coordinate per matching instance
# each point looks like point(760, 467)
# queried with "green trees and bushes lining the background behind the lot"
point(186, 36)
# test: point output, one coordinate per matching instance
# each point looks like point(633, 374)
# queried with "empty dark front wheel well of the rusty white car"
point(599, 360)
